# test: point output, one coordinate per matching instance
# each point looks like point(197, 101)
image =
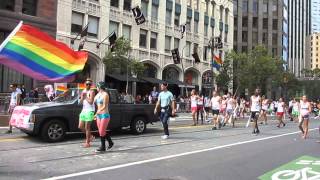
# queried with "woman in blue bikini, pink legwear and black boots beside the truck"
point(103, 116)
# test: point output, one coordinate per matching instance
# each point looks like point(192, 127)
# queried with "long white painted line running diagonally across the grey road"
point(169, 157)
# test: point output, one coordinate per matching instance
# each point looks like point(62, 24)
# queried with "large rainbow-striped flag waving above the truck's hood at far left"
point(36, 54)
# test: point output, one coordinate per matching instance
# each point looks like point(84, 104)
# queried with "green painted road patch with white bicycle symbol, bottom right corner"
point(303, 168)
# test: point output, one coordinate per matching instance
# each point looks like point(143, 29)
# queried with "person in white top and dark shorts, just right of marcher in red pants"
point(215, 107)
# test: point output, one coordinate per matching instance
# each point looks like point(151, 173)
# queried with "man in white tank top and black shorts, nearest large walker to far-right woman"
point(255, 102)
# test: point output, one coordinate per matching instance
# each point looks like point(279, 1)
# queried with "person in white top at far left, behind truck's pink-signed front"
point(15, 100)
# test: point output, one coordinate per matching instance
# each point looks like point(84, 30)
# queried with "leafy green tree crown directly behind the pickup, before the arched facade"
point(119, 60)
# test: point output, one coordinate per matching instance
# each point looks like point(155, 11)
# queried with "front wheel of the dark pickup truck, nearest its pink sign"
point(53, 131)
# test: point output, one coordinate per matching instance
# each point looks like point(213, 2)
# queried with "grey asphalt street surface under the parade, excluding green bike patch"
point(190, 153)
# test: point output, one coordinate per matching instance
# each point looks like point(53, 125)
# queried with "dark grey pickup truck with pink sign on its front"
point(52, 120)
